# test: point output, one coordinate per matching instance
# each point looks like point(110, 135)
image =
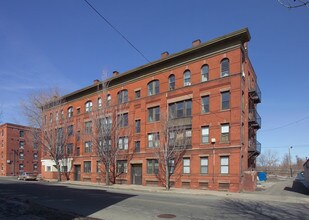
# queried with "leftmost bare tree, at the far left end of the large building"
point(44, 111)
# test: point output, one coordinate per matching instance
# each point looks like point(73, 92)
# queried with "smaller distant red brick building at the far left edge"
point(18, 152)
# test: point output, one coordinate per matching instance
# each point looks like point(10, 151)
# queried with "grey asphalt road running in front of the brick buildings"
point(99, 203)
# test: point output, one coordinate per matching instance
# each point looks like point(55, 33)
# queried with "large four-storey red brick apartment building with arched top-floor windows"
point(212, 87)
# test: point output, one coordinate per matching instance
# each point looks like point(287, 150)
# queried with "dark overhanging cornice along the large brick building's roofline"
point(243, 34)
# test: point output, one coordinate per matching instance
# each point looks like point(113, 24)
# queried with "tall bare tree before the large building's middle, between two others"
point(111, 134)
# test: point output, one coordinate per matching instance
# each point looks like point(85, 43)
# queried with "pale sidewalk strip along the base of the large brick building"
point(255, 196)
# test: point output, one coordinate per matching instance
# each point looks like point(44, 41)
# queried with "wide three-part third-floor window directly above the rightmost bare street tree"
point(180, 109)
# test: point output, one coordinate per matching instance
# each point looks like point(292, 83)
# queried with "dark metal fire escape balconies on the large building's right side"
point(254, 120)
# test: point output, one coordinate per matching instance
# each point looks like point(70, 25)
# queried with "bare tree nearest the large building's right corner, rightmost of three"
point(175, 139)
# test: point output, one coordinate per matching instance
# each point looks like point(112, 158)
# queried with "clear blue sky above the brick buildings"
point(59, 43)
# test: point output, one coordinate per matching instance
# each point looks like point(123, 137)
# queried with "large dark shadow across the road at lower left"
point(81, 201)
